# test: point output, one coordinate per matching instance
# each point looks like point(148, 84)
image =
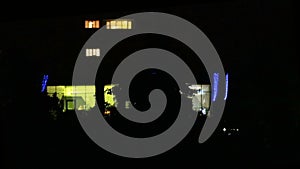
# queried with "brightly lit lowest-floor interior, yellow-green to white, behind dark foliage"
point(83, 97)
